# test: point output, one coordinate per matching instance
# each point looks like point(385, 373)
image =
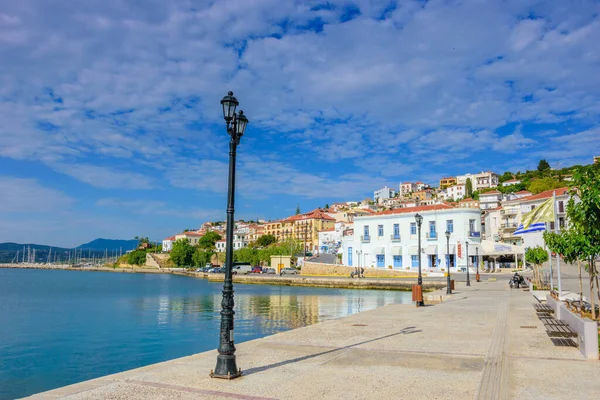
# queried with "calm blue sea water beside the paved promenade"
point(63, 327)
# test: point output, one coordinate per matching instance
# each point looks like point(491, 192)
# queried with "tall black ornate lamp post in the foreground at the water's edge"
point(226, 366)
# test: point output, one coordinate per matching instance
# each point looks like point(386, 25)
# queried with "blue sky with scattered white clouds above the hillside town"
point(111, 126)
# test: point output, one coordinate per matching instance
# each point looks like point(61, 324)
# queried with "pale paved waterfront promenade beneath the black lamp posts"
point(485, 342)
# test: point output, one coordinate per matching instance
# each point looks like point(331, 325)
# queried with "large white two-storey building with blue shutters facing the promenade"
point(389, 239)
